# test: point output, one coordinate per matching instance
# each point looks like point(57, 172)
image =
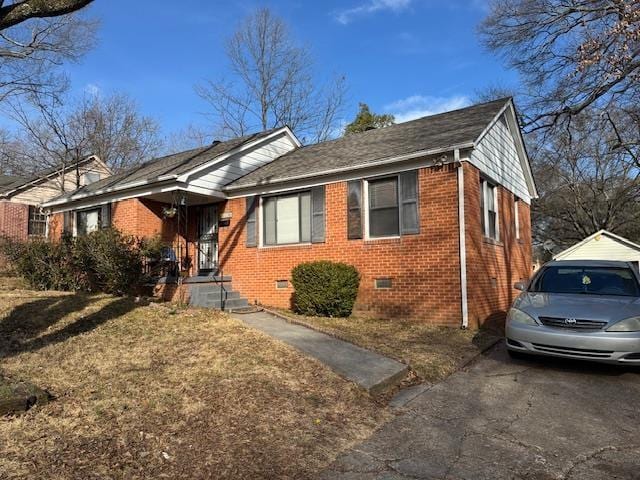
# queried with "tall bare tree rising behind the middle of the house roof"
point(272, 84)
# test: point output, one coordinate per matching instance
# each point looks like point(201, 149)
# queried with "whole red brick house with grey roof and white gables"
point(434, 213)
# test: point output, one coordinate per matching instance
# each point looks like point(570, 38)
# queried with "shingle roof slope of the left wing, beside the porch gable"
point(174, 164)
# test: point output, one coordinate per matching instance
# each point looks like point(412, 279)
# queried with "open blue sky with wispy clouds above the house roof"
point(406, 57)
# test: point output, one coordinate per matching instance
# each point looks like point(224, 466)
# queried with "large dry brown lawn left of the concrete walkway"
point(155, 392)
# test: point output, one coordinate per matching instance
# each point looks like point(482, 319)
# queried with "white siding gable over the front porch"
point(221, 173)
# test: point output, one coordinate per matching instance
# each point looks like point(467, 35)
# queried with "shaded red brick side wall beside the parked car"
point(492, 268)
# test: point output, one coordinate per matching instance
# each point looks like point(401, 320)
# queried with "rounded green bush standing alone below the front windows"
point(325, 288)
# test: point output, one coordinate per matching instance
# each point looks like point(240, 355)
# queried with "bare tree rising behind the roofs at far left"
point(53, 134)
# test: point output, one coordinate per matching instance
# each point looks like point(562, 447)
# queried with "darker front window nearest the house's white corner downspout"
point(384, 213)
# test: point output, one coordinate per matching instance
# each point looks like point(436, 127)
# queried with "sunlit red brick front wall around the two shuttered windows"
point(424, 267)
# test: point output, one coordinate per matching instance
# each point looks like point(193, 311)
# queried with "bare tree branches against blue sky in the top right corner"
point(572, 55)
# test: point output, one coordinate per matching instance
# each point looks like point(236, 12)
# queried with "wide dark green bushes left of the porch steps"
point(102, 261)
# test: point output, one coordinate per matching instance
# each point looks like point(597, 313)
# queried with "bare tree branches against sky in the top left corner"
point(36, 37)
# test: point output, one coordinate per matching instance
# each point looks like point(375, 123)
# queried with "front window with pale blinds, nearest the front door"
point(287, 219)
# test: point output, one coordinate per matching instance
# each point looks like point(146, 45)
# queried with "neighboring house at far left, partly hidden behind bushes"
point(21, 198)
